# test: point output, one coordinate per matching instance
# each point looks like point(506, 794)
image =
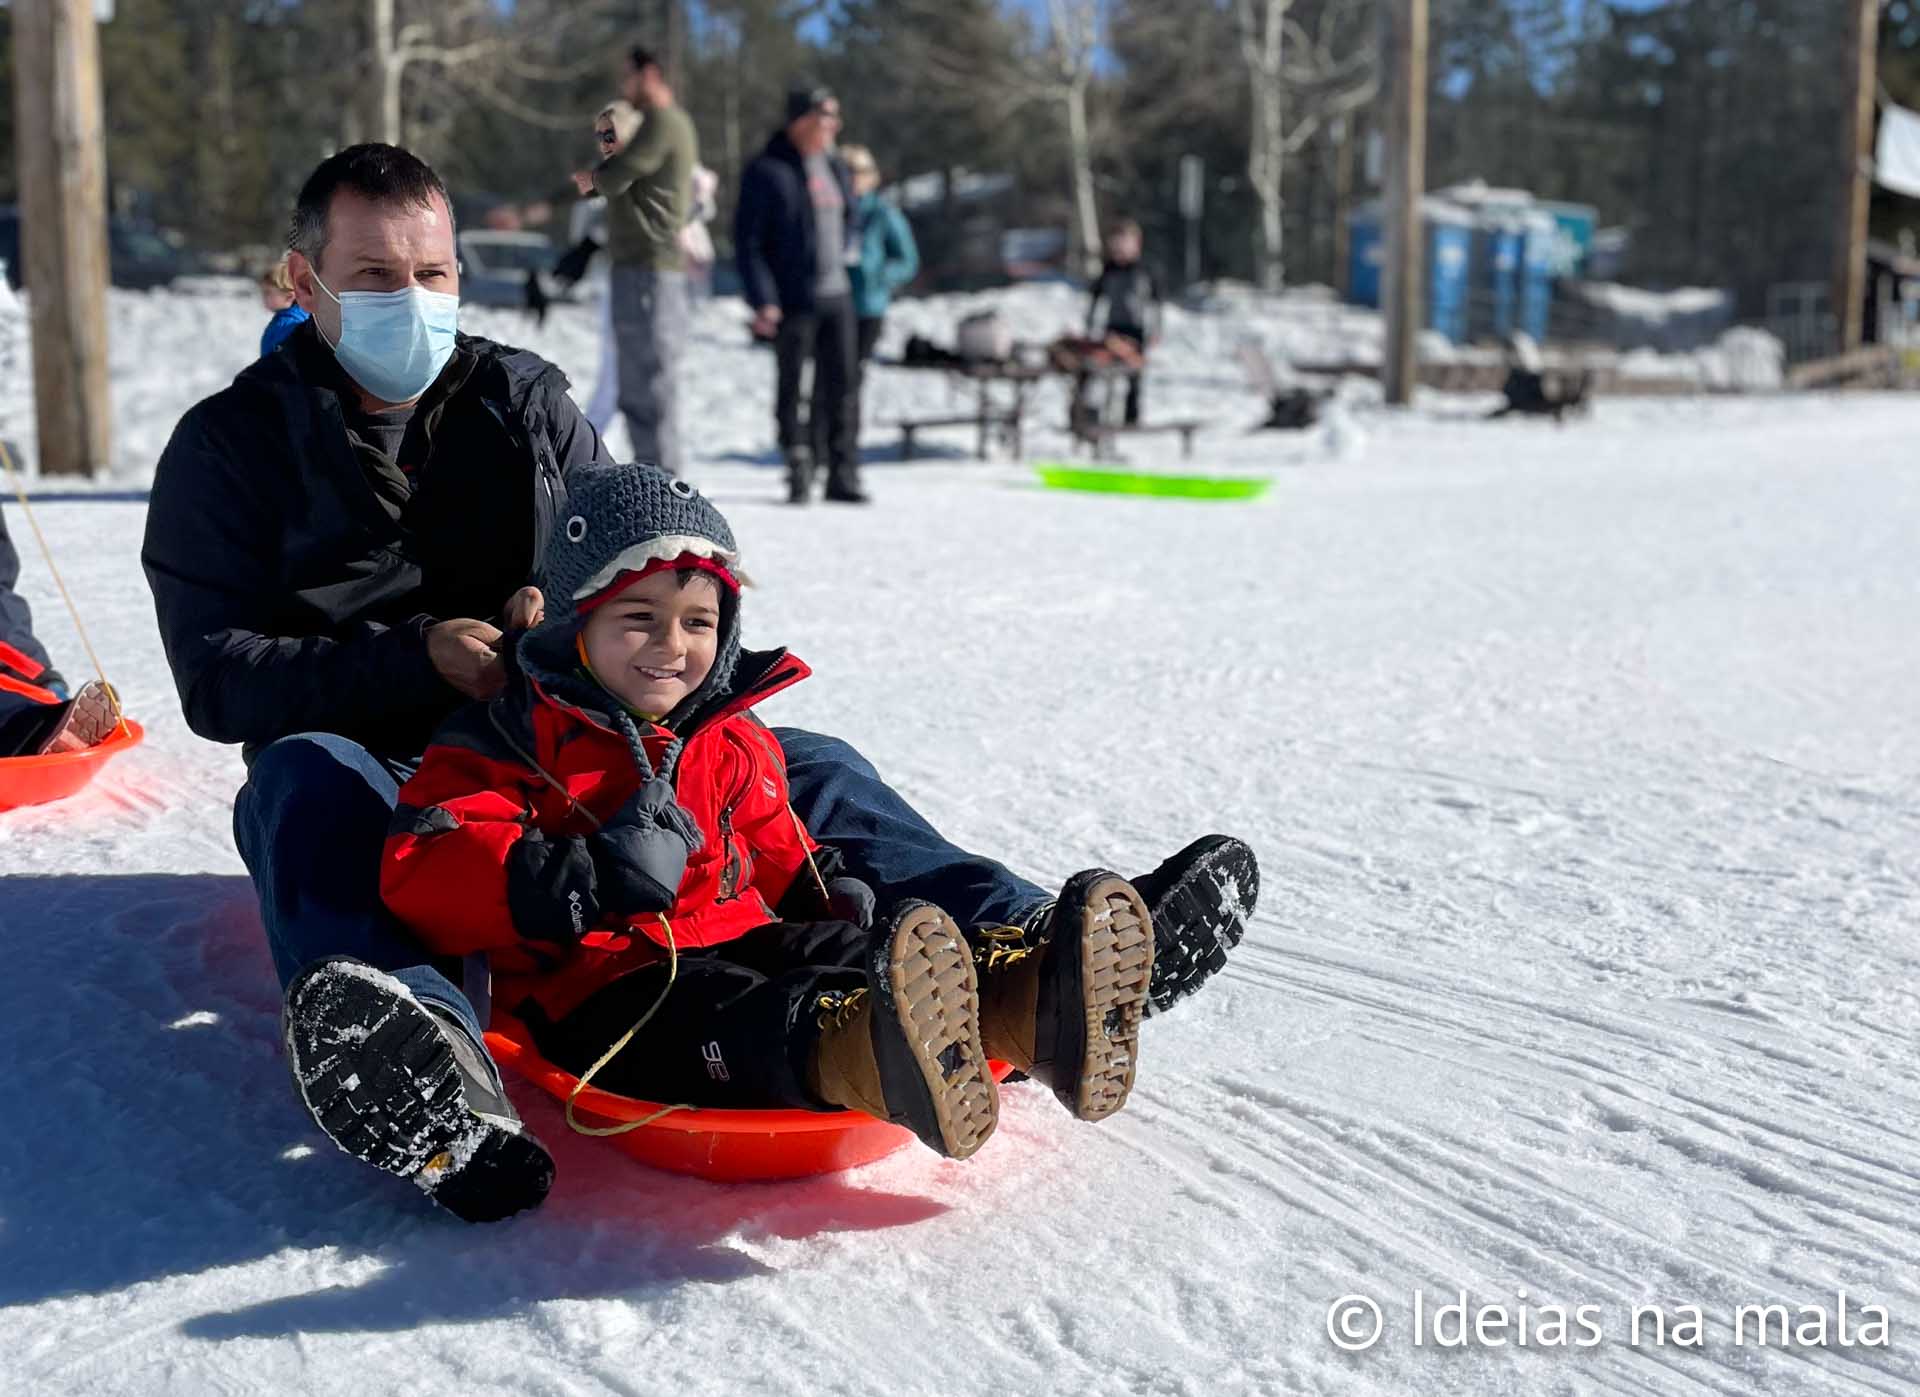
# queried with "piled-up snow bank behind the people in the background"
point(170, 348)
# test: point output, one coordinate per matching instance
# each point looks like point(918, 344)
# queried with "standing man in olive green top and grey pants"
point(650, 193)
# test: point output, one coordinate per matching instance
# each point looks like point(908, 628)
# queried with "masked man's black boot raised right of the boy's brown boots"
point(1201, 901)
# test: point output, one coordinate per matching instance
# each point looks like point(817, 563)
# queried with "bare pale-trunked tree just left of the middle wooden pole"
point(1332, 70)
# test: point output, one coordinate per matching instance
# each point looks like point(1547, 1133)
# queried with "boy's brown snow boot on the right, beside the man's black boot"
point(1063, 1001)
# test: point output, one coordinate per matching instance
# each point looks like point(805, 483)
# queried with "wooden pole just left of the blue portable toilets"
point(1406, 185)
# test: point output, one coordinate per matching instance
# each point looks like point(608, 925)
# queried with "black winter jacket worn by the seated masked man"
point(289, 596)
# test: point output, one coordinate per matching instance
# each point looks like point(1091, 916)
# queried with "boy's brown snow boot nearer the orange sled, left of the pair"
point(907, 1049)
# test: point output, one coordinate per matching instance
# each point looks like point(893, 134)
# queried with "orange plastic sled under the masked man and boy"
point(725, 1147)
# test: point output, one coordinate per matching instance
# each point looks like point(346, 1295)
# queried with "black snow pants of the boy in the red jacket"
point(736, 1030)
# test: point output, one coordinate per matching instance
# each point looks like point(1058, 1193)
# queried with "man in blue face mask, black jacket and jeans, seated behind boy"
point(339, 548)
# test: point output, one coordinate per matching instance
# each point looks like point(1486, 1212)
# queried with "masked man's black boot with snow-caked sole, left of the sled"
point(406, 1089)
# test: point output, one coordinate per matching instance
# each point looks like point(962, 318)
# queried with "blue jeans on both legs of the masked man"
point(312, 820)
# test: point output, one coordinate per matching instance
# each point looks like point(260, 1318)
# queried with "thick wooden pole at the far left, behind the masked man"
point(60, 153)
